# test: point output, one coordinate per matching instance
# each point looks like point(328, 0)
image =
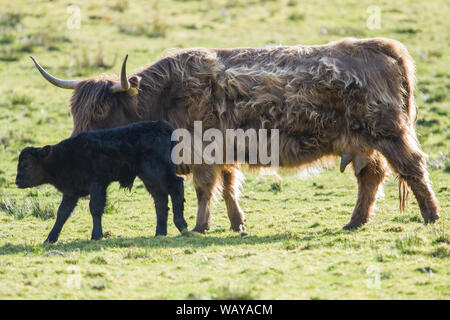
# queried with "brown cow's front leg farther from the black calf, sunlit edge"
point(231, 180)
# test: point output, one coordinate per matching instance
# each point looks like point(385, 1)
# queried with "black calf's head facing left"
point(30, 170)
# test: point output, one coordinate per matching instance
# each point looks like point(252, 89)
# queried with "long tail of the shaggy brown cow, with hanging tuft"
point(398, 51)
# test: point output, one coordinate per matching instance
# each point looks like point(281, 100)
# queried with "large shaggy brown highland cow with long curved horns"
point(350, 98)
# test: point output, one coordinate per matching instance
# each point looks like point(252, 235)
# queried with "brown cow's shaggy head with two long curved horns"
point(101, 102)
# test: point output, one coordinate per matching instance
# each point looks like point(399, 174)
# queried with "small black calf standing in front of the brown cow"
point(88, 162)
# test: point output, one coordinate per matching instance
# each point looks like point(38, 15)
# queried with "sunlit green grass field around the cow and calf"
point(295, 247)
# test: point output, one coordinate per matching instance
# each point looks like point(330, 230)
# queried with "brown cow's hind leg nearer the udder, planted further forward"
point(369, 180)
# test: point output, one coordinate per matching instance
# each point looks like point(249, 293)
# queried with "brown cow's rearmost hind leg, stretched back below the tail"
point(408, 160)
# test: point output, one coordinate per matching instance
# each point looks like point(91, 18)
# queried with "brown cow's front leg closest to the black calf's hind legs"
point(205, 180)
